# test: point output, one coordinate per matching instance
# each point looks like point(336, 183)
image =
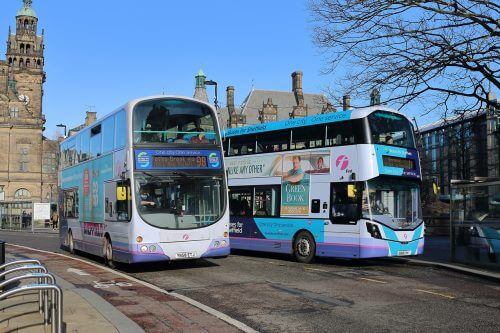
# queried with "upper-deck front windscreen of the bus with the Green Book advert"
point(390, 129)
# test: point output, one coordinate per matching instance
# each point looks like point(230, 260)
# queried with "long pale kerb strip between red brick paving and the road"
point(222, 316)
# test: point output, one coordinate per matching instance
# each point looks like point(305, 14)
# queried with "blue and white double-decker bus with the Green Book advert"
point(343, 184)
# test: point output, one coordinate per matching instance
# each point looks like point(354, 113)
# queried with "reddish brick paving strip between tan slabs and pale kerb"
point(152, 310)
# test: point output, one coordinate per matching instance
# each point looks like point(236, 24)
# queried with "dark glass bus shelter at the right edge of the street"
point(475, 221)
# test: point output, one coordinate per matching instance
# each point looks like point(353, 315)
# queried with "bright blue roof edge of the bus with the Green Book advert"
point(307, 121)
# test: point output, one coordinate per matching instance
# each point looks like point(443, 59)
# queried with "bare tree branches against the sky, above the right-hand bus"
point(443, 53)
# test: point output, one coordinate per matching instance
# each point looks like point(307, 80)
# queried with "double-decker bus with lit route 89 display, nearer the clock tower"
point(146, 183)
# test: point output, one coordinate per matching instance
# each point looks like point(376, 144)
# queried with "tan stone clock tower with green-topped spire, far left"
point(28, 161)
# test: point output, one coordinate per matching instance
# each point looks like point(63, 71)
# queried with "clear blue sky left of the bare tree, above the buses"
point(104, 53)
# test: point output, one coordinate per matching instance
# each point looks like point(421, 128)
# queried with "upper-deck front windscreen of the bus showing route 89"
point(174, 121)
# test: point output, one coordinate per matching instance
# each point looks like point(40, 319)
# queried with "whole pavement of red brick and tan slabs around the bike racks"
point(97, 299)
